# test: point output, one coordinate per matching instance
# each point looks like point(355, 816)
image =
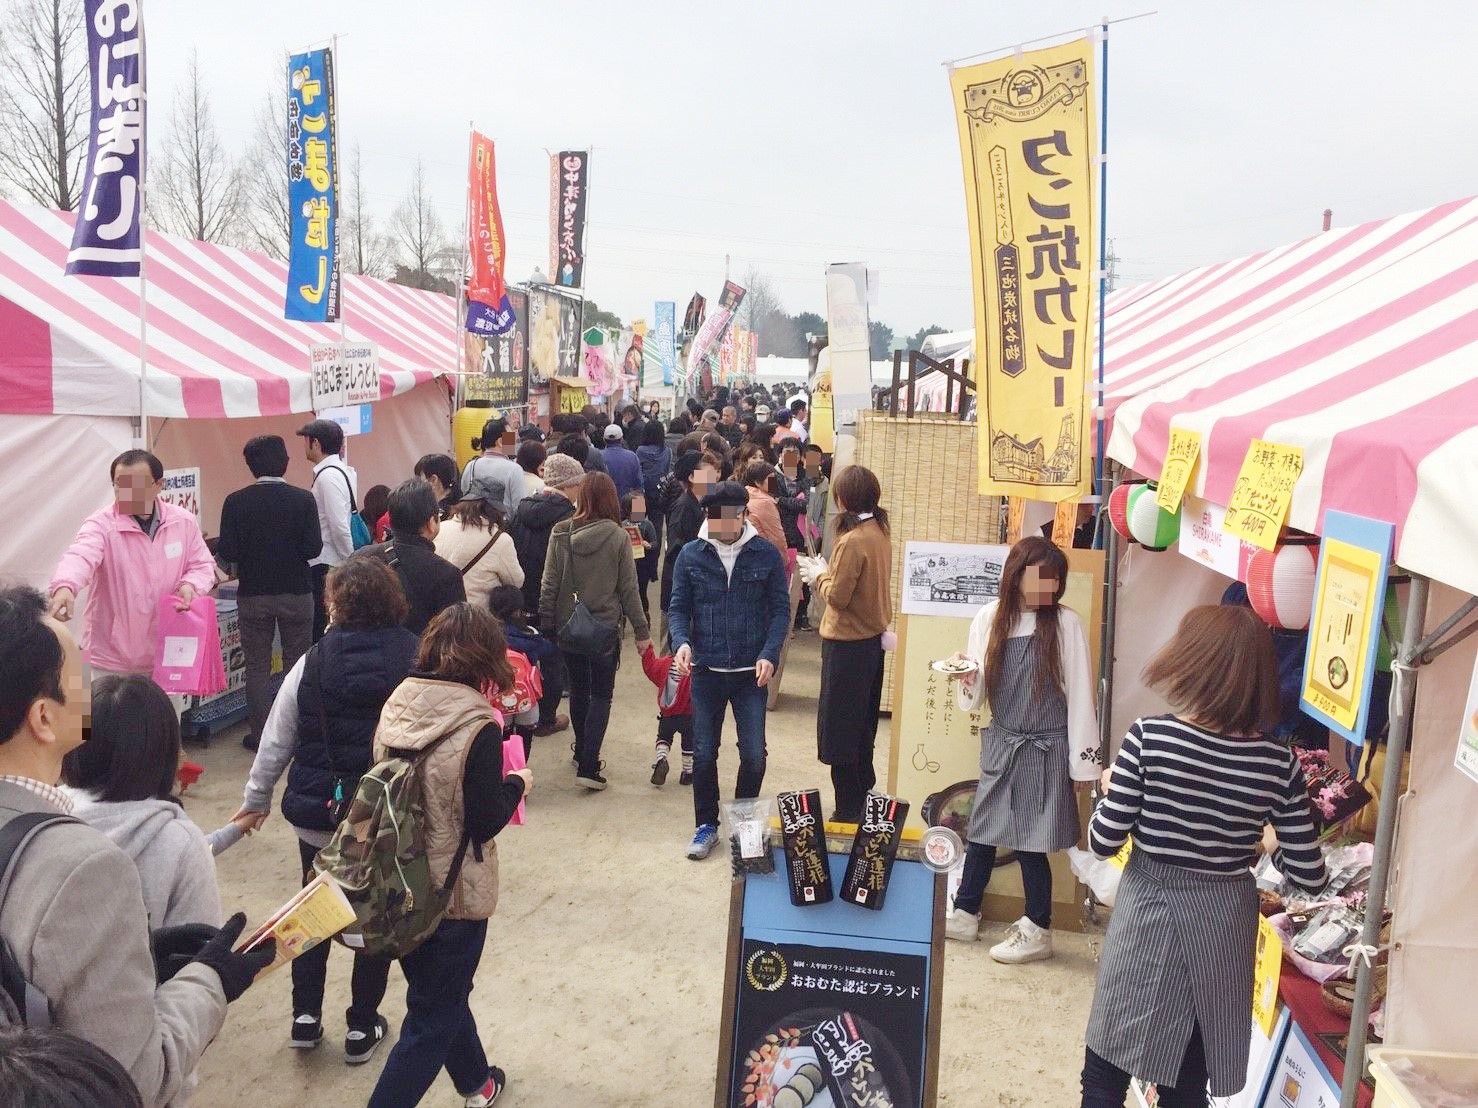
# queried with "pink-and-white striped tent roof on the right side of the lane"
point(1359, 345)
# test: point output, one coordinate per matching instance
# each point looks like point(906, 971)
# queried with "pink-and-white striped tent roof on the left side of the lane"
point(218, 343)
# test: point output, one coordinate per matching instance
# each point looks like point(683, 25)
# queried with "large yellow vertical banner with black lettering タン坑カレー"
point(1028, 137)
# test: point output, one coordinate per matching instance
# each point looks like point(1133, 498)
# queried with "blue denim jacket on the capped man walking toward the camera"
point(735, 623)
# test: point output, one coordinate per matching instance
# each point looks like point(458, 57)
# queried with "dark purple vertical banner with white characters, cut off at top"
point(106, 242)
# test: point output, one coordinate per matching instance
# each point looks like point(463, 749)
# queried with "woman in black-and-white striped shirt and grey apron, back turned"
point(1195, 791)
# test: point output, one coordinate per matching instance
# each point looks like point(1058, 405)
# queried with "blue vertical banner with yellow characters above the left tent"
point(313, 169)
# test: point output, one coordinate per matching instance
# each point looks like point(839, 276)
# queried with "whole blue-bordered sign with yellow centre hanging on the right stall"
point(1346, 630)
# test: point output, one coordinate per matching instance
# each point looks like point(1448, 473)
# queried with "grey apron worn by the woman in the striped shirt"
point(1180, 951)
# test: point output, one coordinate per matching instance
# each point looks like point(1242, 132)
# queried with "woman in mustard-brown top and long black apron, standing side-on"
point(859, 608)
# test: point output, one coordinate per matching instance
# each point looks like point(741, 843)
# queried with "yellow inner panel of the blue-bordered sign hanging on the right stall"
point(1352, 592)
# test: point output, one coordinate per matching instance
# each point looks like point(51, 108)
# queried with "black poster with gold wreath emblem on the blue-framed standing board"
point(823, 1027)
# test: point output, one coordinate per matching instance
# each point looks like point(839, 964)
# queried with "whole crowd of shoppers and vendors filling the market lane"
point(435, 620)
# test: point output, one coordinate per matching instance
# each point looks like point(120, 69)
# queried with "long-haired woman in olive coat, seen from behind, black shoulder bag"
point(590, 562)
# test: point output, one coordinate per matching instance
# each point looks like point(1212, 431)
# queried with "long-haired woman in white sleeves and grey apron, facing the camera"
point(1034, 671)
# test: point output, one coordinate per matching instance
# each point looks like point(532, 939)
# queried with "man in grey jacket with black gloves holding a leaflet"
point(73, 912)
